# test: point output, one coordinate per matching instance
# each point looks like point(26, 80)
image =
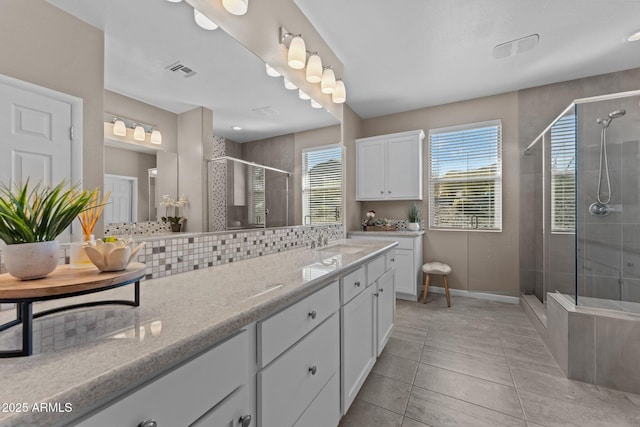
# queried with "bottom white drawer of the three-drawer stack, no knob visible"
point(324, 411)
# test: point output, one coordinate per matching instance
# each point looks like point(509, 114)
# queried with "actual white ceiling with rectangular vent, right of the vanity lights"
point(403, 55)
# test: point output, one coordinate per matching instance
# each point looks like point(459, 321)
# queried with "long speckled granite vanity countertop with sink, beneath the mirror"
point(87, 357)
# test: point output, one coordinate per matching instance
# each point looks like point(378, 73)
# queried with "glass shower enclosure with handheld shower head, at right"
point(587, 198)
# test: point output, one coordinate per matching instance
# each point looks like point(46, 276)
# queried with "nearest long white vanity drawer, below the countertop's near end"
point(184, 394)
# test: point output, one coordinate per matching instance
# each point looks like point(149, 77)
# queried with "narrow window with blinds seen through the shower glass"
point(563, 175)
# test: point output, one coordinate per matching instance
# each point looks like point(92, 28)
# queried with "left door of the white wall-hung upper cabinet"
point(370, 163)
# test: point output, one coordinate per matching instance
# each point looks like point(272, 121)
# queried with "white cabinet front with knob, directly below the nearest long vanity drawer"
point(231, 412)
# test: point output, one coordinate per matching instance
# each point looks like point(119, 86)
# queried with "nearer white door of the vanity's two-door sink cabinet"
point(358, 344)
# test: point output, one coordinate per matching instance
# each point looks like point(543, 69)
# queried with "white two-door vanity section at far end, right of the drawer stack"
point(367, 322)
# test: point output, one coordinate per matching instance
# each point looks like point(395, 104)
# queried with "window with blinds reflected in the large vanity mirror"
point(322, 185)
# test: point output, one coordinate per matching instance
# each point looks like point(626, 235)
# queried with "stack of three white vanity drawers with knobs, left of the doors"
point(299, 357)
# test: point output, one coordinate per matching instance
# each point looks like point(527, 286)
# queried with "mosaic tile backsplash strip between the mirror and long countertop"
point(174, 253)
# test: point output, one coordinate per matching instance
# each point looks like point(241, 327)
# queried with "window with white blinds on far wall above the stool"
point(465, 177)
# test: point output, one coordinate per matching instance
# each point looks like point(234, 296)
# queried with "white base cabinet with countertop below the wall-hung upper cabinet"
point(407, 258)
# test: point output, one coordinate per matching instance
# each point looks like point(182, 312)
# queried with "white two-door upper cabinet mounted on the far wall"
point(389, 167)
